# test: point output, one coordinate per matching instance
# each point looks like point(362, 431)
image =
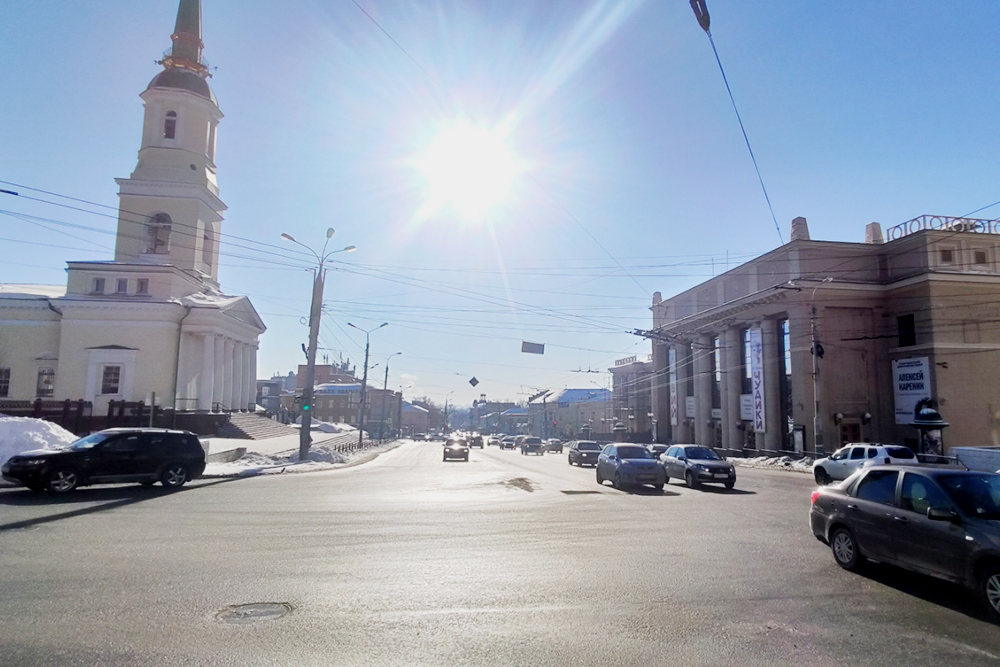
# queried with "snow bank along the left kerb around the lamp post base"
point(320, 458)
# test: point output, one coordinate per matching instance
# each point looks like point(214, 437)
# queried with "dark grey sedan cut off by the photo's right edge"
point(940, 521)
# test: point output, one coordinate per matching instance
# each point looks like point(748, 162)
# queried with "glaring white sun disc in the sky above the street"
point(469, 170)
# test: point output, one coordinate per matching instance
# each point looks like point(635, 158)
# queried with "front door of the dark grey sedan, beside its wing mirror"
point(931, 546)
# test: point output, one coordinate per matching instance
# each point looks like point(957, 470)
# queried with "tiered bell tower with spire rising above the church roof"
point(170, 212)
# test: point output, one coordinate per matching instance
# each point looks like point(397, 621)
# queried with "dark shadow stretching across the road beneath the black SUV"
point(110, 498)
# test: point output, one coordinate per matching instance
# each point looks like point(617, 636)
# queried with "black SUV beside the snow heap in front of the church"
point(114, 456)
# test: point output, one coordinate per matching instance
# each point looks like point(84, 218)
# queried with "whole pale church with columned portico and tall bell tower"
point(152, 323)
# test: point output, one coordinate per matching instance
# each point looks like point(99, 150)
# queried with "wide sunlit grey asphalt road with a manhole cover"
point(505, 560)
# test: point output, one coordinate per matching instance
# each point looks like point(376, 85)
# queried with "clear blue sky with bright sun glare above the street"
point(626, 171)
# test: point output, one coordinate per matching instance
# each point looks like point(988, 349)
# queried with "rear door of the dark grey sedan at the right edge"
point(871, 512)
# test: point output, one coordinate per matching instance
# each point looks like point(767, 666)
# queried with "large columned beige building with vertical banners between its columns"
point(817, 343)
